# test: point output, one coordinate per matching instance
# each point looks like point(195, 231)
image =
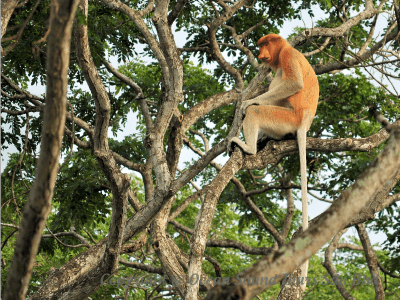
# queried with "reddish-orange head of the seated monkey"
point(270, 47)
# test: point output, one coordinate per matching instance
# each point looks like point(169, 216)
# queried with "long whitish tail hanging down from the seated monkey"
point(301, 140)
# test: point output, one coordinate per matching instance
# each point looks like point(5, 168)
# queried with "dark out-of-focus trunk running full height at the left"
point(38, 206)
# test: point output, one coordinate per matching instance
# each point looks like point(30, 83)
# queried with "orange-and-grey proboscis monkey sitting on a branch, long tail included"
point(288, 107)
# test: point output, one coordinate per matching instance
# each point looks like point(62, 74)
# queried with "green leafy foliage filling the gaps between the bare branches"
point(83, 197)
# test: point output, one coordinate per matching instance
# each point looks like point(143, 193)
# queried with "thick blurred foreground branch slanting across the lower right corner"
point(350, 202)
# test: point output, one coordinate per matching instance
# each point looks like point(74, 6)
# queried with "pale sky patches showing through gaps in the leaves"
point(316, 207)
